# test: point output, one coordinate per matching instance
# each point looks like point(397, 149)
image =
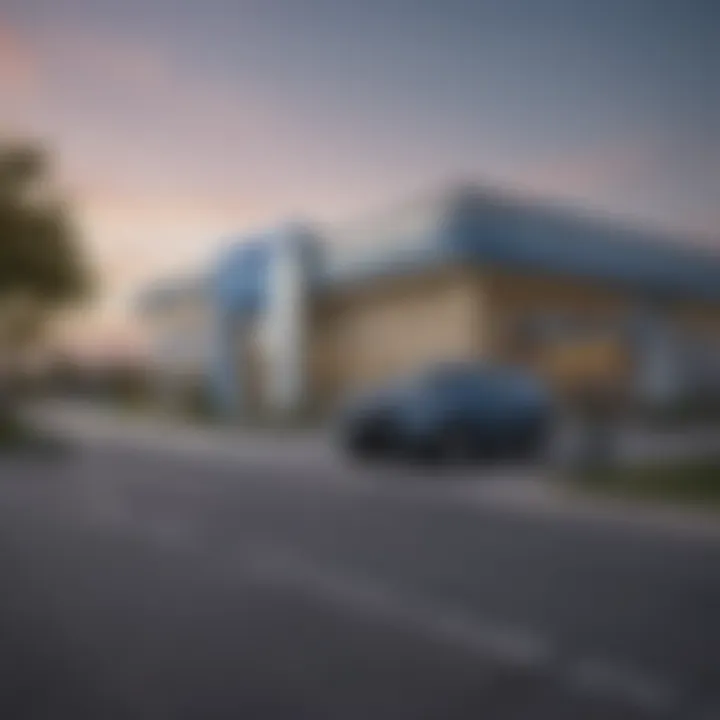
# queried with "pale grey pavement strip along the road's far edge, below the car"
point(520, 490)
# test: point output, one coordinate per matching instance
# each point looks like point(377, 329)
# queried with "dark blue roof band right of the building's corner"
point(502, 230)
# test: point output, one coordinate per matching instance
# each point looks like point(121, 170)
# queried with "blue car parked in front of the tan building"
point(450, 412)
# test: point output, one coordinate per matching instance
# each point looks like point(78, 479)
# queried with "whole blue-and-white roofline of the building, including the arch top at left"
point(470, 225)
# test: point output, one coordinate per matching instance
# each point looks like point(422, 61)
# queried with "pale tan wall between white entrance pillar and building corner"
point(366, 335)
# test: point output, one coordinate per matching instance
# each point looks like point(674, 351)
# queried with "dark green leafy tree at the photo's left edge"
point(41, 266)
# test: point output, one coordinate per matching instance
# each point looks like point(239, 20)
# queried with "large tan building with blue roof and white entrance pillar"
point(297, 317)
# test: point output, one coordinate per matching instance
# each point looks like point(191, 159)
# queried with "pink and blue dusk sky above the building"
point(178, 122)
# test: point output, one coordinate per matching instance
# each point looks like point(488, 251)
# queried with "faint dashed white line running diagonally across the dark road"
point(508, 645)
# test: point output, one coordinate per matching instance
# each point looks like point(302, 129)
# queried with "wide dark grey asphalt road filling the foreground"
point(144, 583)
